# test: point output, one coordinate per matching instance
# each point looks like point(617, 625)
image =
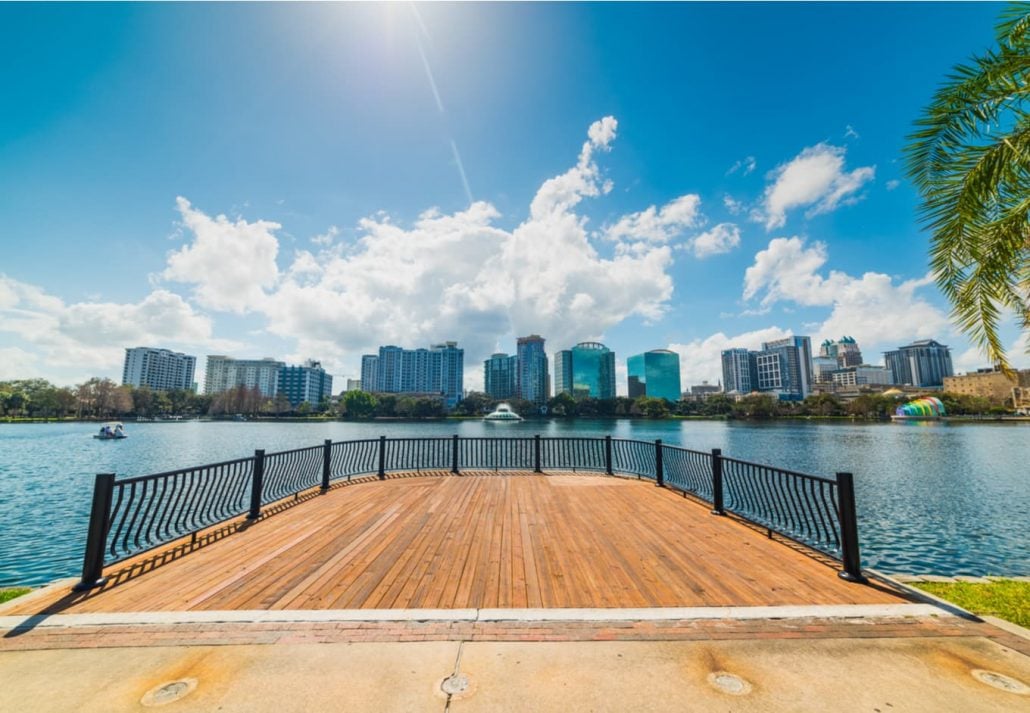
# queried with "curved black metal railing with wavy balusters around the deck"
point(132, 516)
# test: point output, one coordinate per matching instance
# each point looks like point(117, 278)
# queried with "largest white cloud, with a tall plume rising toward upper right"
point(457, 277)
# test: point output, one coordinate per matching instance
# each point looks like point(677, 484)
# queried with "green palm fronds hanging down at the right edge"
point(970, 158)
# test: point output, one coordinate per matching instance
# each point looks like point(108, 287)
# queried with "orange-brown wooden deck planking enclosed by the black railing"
point(483, 541)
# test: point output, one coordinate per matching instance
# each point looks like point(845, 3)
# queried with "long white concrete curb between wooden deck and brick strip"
point(522, 616)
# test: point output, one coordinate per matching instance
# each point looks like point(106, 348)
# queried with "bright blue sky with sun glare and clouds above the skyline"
point(288, 181)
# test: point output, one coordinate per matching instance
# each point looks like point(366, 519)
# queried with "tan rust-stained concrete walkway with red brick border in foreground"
point(832, 663)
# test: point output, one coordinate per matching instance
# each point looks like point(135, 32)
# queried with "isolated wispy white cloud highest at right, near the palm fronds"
point(815, 178)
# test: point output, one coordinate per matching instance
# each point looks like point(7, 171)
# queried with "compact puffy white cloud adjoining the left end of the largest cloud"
point(231, 264)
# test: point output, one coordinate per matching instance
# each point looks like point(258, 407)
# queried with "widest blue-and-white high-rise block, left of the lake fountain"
point(439, 370)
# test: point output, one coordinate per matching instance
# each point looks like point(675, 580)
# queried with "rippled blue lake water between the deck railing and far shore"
point(933, 498)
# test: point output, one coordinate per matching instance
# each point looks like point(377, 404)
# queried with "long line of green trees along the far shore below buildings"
point(32, 400)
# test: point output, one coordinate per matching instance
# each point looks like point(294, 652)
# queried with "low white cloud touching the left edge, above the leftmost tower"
point(86, 338)
